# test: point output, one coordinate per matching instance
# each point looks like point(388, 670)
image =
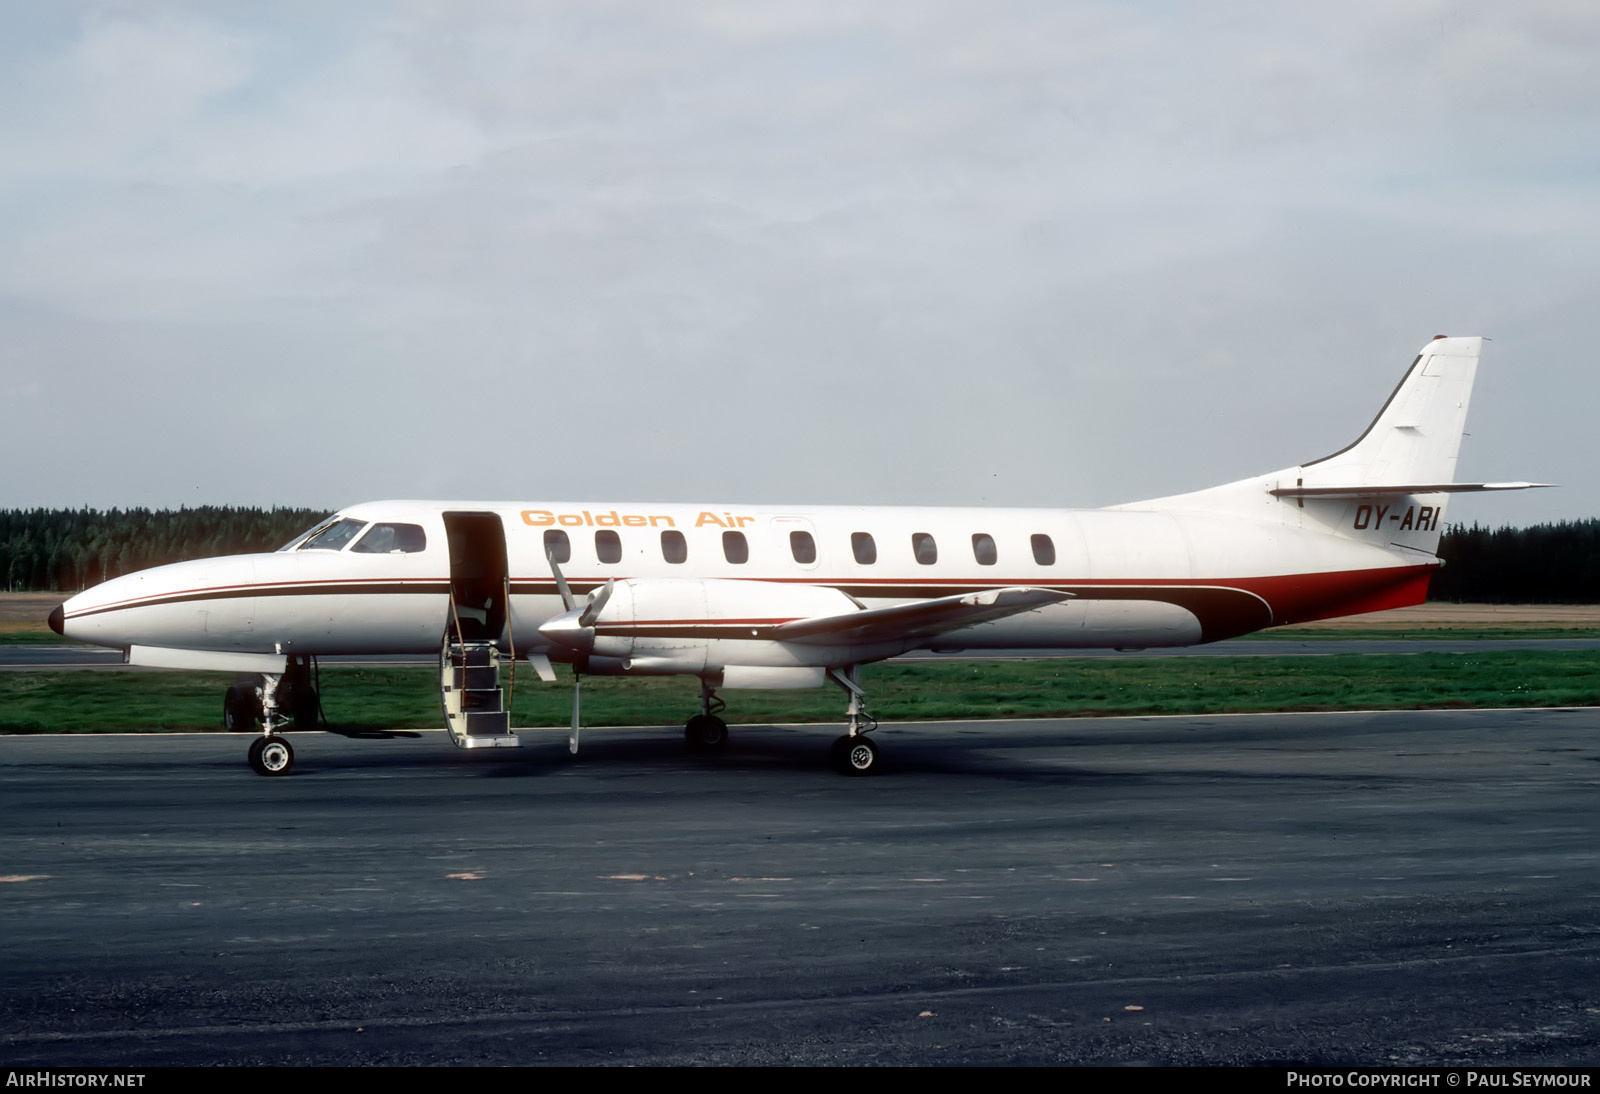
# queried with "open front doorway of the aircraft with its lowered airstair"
point(470, 658)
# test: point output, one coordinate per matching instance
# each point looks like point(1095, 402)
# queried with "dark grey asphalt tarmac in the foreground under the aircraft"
point(1354, 888)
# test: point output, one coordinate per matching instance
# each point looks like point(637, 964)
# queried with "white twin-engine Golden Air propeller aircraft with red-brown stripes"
point(769, 597)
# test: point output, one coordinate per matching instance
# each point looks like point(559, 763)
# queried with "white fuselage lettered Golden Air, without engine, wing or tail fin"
point(1138, 578)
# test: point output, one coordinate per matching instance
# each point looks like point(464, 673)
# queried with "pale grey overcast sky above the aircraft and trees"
point(860, 254)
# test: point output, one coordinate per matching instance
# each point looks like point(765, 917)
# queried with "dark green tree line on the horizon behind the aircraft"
point(70, 549)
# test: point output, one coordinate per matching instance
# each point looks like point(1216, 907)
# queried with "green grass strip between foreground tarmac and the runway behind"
point(354, 700)
